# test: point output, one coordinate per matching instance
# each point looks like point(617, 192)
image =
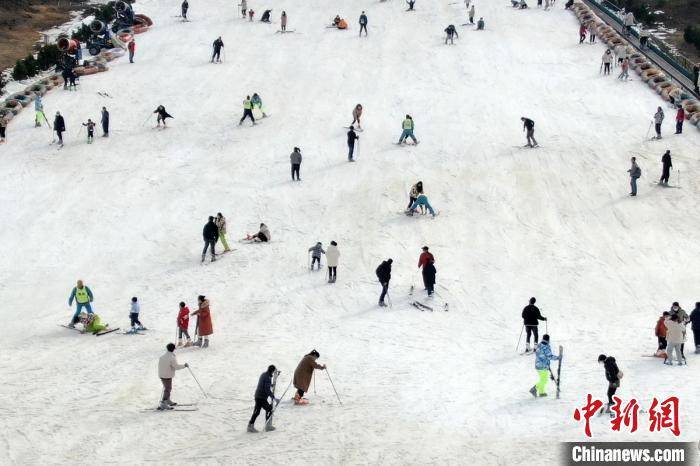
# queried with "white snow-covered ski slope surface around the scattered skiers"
point(125, 214)
